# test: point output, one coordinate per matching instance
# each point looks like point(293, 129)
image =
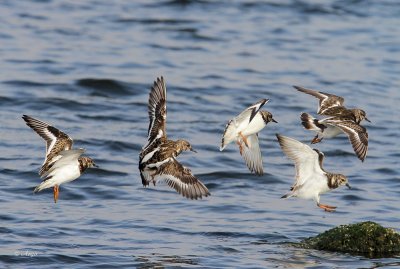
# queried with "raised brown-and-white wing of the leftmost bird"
point(56, 140)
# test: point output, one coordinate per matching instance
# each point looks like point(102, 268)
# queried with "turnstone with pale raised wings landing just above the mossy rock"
point(311, 179)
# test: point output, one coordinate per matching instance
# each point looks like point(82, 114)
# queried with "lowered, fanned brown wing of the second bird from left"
point(181, 179)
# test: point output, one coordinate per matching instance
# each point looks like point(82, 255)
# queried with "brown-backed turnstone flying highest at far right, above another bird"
point(339, 120)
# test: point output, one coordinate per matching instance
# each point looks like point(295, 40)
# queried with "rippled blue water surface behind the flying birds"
point(87, 68)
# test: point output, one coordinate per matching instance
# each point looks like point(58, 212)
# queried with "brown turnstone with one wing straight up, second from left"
point(157, 160)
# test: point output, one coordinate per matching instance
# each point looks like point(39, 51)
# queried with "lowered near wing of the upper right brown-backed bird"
point(357, 134)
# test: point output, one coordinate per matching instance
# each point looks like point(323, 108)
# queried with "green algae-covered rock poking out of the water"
point(365, 238)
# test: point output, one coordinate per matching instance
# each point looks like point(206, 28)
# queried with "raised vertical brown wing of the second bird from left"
point(157, 111)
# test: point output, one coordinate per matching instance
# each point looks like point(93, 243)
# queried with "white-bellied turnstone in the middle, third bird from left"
point(244, 129)
